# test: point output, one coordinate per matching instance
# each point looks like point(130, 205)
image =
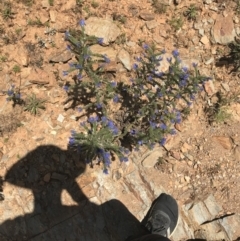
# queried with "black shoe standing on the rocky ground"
point(162, 218)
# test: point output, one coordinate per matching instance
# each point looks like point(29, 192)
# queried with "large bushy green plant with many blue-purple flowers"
point(149, 103)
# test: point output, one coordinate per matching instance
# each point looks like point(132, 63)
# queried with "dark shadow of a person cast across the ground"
point(50, 220)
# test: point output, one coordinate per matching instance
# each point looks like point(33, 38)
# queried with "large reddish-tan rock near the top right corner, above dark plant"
point(223, 30)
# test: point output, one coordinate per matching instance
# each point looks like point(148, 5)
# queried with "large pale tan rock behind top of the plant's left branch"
point(102, 28)
